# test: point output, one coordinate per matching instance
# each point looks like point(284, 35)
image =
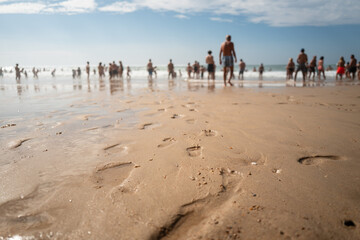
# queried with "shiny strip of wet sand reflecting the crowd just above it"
point(113, 86)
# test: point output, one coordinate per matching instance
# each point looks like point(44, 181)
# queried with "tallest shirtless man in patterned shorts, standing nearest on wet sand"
point(226, 56)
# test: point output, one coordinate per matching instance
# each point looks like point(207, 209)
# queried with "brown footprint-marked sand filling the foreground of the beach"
point(230, 164)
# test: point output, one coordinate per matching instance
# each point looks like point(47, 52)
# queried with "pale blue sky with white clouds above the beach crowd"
point(71, 32)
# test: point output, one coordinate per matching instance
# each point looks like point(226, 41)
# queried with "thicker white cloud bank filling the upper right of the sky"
point(274, 13)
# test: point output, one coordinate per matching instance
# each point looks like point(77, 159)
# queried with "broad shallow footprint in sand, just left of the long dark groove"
point(112, 174)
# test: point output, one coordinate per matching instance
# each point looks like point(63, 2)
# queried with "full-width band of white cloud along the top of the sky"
point(273, 13)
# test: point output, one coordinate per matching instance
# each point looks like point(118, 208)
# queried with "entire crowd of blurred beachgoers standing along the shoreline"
point(227, 60)
